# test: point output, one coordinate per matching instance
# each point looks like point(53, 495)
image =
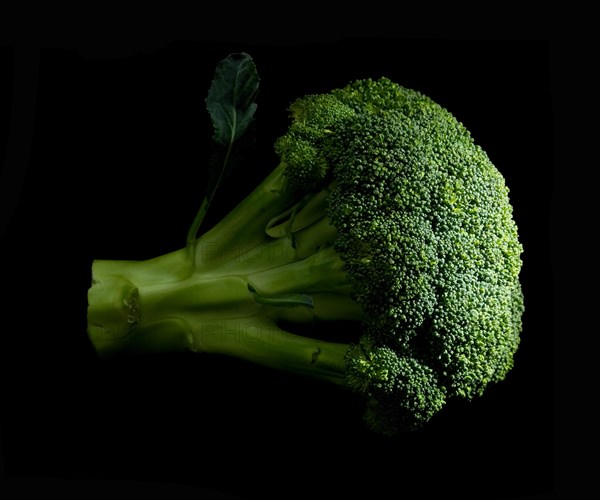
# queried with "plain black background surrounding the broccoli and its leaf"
point(115, 171)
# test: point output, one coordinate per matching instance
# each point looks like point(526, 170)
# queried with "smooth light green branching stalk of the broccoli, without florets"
point(227, 291)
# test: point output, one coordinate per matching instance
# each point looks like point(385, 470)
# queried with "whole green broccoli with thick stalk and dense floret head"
point(383, 223)
